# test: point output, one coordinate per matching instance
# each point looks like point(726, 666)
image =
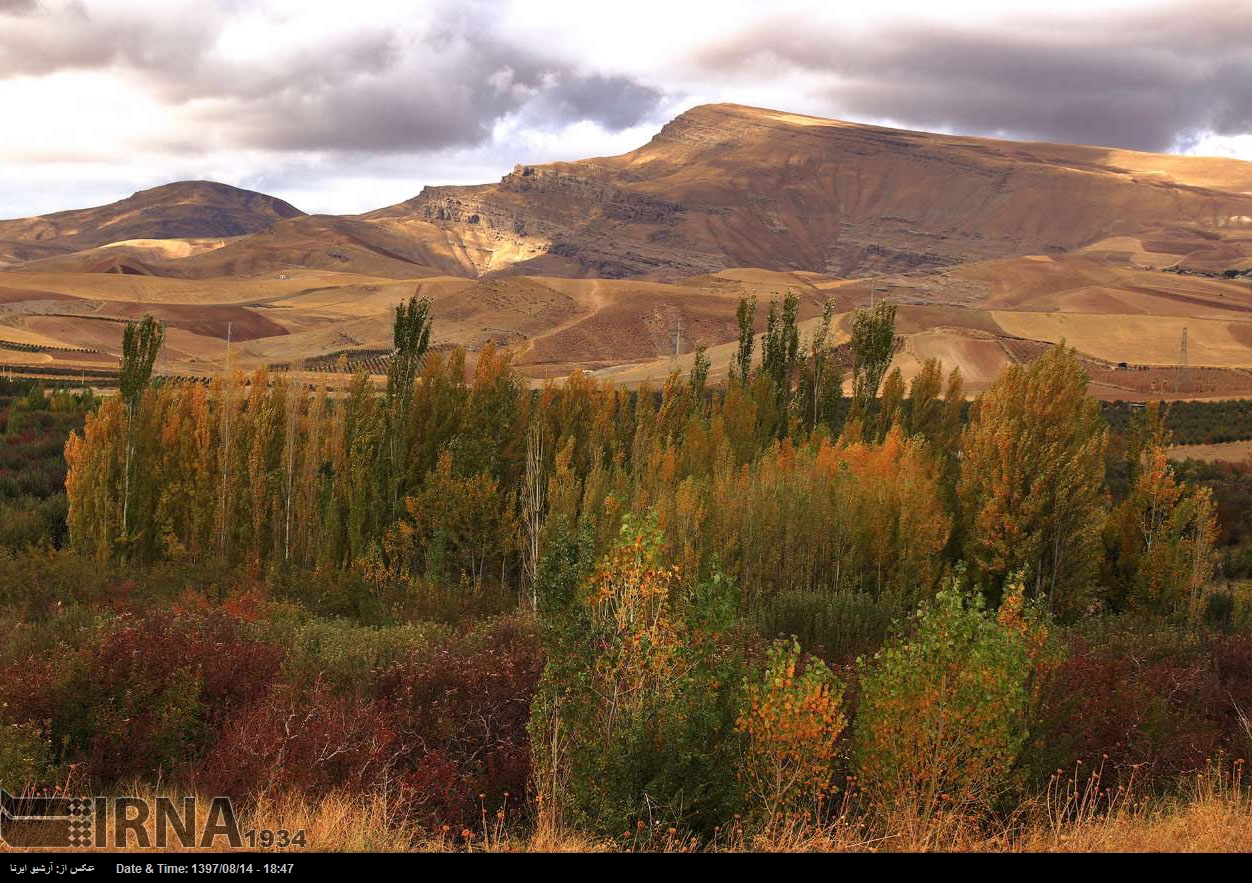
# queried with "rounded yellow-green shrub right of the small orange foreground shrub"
point(943, 710)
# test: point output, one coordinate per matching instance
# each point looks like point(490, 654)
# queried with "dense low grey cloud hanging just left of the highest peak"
point(441, 93)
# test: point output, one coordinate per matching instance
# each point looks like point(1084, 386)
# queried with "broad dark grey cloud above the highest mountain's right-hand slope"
point(1147, 80)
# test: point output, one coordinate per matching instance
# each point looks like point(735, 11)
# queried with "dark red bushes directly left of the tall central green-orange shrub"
point(438, 730)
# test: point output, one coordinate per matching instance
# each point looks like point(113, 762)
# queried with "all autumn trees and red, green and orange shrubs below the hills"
point(669, 616)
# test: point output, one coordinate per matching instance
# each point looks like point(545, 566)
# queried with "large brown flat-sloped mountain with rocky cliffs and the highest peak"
point(727, 186)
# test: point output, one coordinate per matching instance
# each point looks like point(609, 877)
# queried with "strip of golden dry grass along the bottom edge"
point(1213, 815)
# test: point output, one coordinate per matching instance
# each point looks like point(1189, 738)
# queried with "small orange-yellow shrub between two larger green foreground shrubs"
point(792, 718)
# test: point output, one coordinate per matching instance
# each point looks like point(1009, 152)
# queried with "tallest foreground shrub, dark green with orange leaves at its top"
point(634, 717)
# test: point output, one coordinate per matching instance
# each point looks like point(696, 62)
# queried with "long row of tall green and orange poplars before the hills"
point(807, 474)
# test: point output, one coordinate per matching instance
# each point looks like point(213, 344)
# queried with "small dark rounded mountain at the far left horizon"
point(183, 210)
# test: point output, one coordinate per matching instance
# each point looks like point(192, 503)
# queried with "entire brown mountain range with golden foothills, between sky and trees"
point(991, 251)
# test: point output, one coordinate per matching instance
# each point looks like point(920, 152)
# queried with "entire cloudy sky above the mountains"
point(347, 106)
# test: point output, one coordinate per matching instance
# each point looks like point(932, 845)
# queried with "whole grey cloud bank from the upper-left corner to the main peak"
point(379, 90)
